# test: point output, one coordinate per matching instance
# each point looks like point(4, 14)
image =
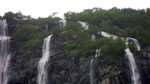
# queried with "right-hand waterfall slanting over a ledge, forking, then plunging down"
point(132, 64)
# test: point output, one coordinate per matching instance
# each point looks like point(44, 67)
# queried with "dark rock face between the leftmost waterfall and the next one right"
point(23, 68)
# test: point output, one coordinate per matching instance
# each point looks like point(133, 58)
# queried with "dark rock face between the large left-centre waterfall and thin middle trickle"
point(65, 69)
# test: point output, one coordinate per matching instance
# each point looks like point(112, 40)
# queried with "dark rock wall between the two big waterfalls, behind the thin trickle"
point(75, 69)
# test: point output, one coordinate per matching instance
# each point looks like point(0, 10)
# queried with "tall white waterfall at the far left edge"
point(4, 52)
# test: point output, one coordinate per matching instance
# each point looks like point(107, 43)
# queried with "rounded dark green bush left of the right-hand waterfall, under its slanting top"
point(113, 49)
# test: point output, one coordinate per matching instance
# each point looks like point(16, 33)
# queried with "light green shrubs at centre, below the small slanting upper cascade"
point(78, 40)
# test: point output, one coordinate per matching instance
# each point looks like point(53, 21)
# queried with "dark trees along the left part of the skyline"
point(19, 18)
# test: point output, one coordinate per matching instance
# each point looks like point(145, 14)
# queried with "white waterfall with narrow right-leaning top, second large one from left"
point(42, 65)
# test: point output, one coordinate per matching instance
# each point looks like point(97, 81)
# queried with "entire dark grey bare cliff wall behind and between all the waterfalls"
point(75, 69)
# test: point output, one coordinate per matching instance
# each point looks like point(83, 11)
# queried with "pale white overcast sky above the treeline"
point(43, 8)
